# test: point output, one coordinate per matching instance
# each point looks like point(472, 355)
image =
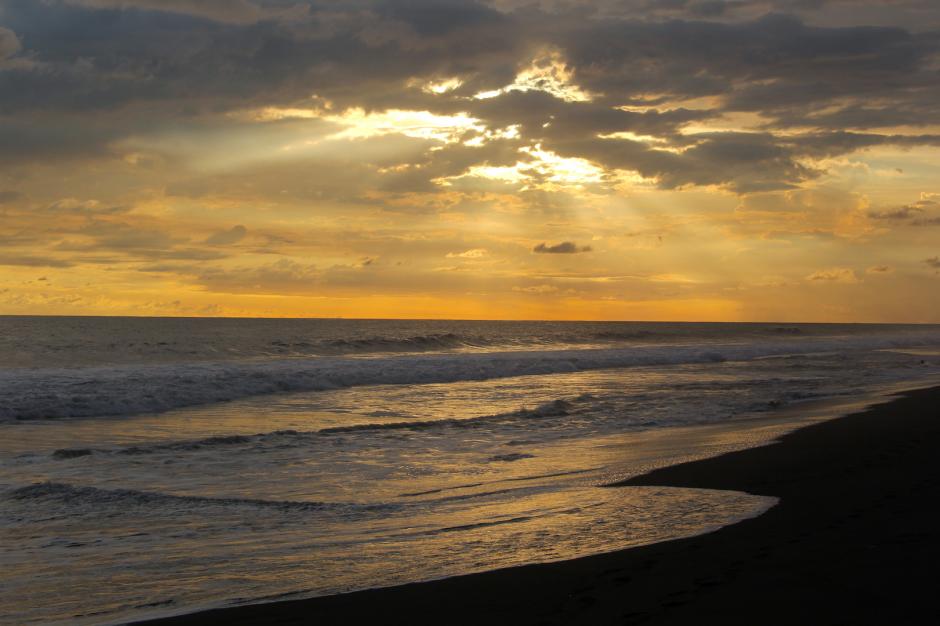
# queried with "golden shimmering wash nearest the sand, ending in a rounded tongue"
point(191, 555)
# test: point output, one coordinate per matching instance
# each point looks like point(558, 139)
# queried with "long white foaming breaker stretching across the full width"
point(136, 389)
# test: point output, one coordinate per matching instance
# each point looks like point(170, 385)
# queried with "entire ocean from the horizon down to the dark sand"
point(154, 466)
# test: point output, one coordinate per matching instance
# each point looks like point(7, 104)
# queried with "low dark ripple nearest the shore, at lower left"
point(94, 497)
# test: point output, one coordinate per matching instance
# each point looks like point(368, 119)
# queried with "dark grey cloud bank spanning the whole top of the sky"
point(154, 65)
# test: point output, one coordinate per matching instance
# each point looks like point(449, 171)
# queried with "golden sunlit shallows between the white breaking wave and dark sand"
point(159, 509)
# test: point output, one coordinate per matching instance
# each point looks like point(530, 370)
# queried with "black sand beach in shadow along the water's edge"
point(854, 539)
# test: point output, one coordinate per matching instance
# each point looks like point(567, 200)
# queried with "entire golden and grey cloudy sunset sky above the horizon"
point(740, 160)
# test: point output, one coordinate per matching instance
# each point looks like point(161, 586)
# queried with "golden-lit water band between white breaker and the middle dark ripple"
point(648, 392)
